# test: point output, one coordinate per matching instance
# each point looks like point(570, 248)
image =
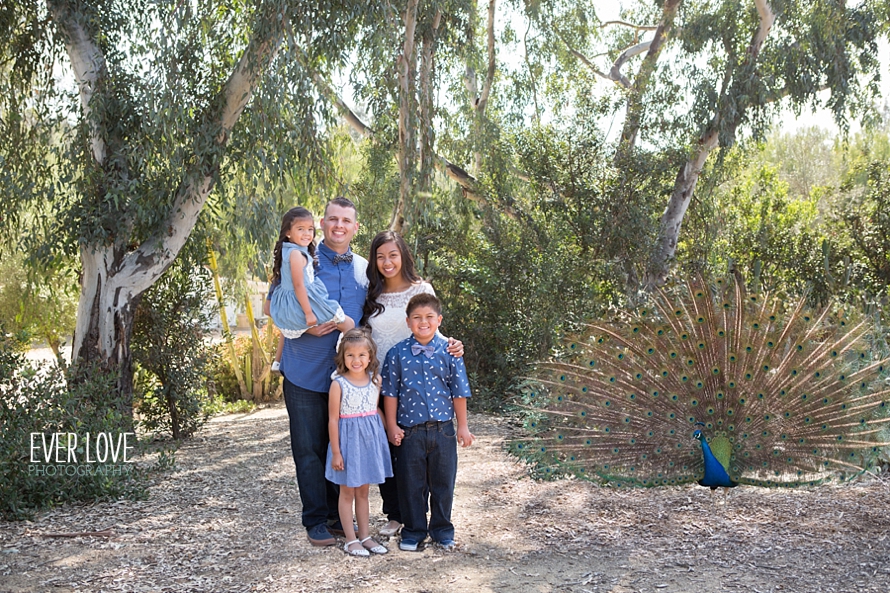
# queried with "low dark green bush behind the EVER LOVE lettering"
point(46, 400)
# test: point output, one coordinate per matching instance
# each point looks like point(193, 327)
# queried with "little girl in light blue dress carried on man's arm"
point(300, 301)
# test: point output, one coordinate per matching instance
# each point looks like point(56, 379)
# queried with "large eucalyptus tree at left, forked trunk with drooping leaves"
point(161, 101)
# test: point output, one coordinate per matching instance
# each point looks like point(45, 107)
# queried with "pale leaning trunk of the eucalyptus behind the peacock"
point(687, 177)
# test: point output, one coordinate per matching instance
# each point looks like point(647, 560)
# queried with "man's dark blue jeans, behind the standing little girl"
point(308, 414)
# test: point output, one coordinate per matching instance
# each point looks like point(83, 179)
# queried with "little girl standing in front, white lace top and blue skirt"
point(358, 453)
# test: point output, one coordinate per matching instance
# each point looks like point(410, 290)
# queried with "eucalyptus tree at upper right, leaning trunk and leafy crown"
point(695, 75)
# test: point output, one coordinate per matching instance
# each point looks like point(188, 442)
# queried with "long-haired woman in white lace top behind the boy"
point(392, 281)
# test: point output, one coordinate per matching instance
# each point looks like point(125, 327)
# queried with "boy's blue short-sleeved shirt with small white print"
point(424, 386)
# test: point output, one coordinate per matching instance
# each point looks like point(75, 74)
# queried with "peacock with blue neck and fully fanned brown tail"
point(714, 385)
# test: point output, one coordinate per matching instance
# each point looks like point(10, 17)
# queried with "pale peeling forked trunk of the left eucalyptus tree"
point(114, 276)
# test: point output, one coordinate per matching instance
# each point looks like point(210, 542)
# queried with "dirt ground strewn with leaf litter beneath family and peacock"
point(229, 520)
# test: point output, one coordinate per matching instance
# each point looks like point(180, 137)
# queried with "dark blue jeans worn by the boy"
point(427, 459)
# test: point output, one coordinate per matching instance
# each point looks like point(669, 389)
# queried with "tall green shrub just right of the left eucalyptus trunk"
point(169, 347)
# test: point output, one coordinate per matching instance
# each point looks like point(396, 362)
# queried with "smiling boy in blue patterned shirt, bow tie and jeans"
point(425, 389)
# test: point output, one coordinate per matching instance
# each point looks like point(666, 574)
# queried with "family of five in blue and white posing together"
point(351, 332)
